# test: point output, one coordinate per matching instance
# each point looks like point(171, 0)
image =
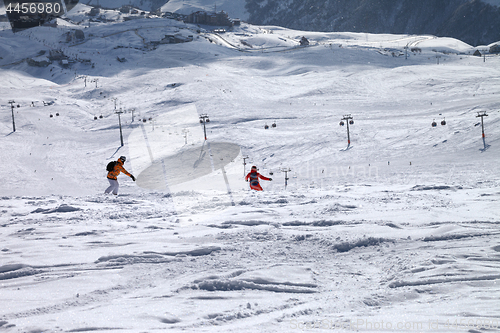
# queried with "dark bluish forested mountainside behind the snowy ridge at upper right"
point(472, 21)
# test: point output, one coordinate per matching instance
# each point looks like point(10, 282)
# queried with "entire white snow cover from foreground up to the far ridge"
point(396, 232)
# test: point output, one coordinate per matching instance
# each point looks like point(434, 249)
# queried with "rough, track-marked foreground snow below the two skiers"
point(321, 254)
